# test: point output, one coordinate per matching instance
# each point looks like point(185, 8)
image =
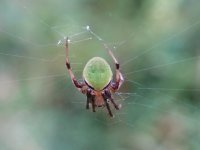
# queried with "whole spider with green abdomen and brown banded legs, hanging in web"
point(98, 85)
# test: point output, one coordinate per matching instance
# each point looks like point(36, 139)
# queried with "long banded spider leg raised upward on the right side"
point(119, 79)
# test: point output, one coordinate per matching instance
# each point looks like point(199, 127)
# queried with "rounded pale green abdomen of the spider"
point(97, 73)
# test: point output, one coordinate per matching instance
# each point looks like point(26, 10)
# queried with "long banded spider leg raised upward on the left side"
point(77, 84)
